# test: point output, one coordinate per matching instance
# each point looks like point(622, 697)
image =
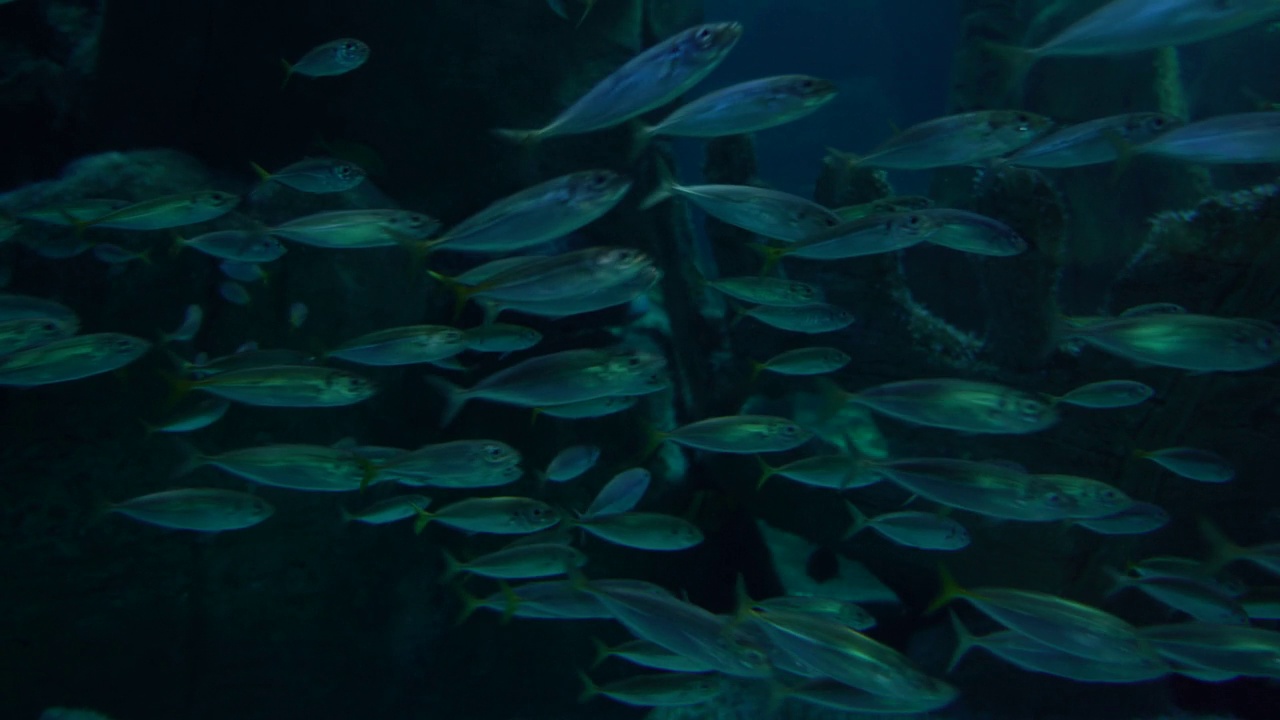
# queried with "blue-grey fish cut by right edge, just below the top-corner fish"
point(1240, 140)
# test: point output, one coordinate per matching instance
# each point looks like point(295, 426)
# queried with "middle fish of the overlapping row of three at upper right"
point(1104, 140)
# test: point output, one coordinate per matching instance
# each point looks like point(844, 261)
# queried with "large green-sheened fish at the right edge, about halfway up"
point(1186, 341)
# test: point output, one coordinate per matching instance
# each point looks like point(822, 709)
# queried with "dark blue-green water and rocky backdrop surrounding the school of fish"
point(305, 616)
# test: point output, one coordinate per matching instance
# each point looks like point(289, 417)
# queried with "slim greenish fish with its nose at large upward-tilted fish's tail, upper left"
point(344, 230)
